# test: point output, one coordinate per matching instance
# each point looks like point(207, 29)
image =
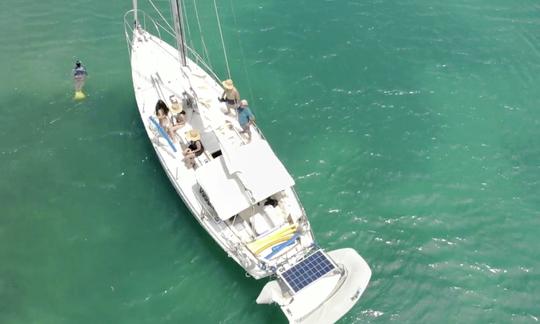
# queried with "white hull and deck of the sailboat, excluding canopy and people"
point(156, 75)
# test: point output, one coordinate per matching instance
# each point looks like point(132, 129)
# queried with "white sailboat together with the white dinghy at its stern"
point(237, 189)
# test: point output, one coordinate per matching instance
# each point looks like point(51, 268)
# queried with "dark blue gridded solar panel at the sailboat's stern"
point(307, 271)
